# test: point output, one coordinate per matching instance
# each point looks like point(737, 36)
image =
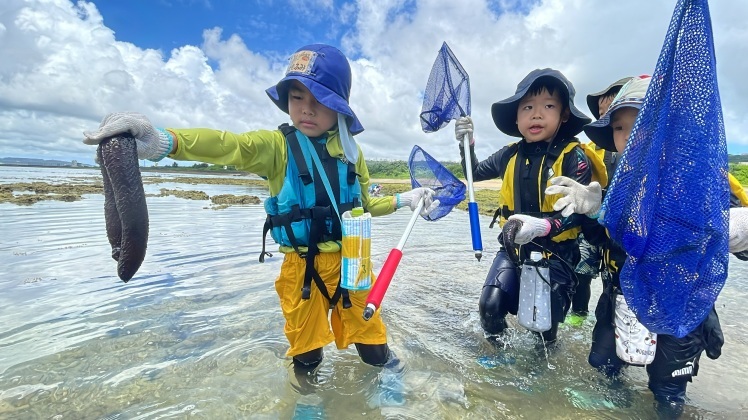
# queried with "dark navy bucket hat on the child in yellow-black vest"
point(504, 112)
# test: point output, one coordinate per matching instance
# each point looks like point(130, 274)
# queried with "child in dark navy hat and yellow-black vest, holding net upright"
point(543, 115)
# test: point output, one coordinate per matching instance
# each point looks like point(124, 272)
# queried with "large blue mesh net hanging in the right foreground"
point(668, 202)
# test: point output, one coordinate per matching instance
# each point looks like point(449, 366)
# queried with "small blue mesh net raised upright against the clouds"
point(447, 94)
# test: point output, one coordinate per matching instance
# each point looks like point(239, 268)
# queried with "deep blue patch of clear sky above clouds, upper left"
point(262, 25)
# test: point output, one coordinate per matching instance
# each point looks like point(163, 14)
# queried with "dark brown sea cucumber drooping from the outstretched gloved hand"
point(125, 210)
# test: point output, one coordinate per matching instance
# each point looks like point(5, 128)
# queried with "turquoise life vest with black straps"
point(303, 200)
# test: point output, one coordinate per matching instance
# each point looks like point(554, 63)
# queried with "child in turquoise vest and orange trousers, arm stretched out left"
point(302, 217)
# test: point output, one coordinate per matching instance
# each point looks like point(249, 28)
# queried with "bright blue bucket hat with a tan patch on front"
point(325, 71)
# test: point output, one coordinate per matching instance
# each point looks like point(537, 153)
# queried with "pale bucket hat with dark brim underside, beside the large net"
point(631, 95)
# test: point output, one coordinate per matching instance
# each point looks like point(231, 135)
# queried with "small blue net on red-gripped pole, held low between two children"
point(425, 171)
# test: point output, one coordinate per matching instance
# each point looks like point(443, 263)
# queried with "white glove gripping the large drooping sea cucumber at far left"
point(152, 144)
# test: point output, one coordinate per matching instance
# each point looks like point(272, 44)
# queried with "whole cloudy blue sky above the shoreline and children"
point(207, 63)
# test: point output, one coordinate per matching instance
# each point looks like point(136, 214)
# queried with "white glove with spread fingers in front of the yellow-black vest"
point(577, 198)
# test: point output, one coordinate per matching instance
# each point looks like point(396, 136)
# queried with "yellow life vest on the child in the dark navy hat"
point(507, 206)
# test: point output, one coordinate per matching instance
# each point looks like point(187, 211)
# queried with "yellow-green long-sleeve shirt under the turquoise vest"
point(264, 152)
